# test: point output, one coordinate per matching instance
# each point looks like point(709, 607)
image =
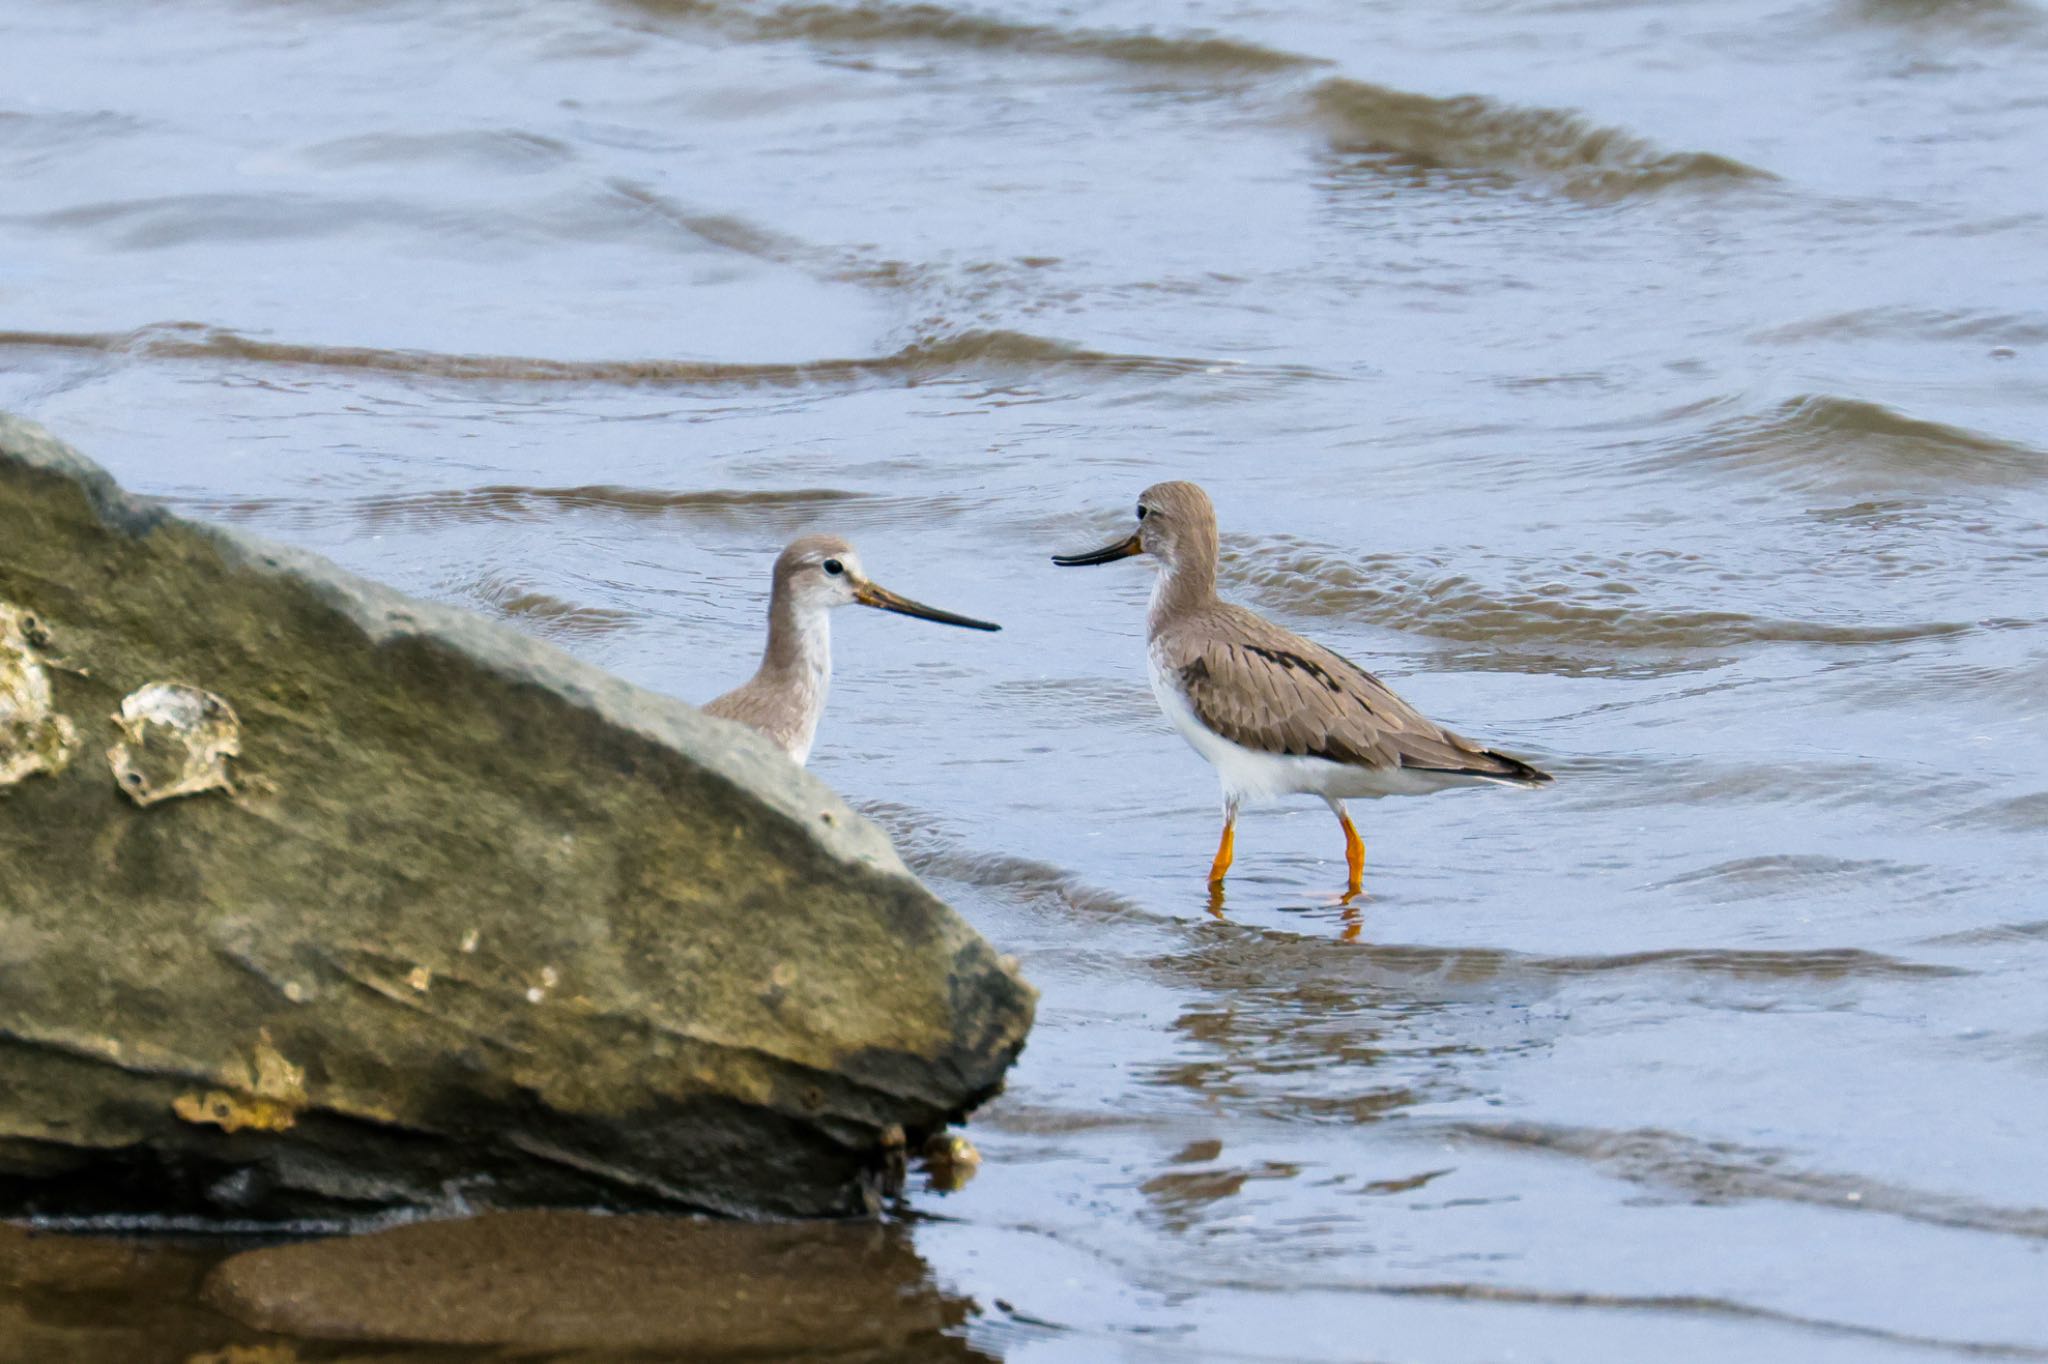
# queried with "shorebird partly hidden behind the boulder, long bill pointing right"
point(785, 697)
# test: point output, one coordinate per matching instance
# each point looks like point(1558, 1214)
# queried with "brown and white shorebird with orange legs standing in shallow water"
point(1277, 714)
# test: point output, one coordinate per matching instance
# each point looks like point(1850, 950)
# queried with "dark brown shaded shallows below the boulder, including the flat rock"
point(511, 1285)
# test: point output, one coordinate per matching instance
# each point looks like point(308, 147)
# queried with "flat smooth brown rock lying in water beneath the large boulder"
point(579, 1283)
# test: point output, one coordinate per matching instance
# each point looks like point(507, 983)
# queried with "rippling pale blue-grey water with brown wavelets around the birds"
point(1654, 390)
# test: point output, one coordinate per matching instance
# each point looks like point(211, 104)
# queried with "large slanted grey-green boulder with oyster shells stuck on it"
point(321, 900)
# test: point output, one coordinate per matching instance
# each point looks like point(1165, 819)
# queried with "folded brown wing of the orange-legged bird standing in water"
point(1273, 691)
